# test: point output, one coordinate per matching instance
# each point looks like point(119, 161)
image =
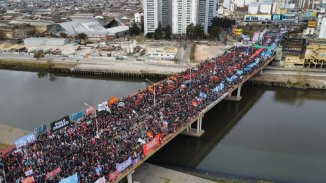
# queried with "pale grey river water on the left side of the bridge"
point(29, 99)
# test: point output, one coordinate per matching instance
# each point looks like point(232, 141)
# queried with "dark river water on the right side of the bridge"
point(260, 137)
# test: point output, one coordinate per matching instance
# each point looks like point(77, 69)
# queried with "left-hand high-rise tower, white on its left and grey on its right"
point(155, 12)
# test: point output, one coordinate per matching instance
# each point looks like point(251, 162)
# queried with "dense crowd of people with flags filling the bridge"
point(94, 146)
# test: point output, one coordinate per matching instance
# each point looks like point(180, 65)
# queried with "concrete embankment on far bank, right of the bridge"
point(291, 78)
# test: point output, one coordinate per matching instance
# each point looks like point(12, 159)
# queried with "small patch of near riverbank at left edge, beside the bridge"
point(9, 134)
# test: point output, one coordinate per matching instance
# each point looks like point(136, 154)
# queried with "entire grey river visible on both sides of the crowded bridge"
point(272, 133)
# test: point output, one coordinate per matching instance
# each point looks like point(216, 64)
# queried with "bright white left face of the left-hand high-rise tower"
point(151, 15)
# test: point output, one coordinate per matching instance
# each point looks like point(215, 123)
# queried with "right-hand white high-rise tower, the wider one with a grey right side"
point(185, 12)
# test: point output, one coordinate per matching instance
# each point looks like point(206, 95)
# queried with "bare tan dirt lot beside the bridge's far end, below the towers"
point(205, 51)
